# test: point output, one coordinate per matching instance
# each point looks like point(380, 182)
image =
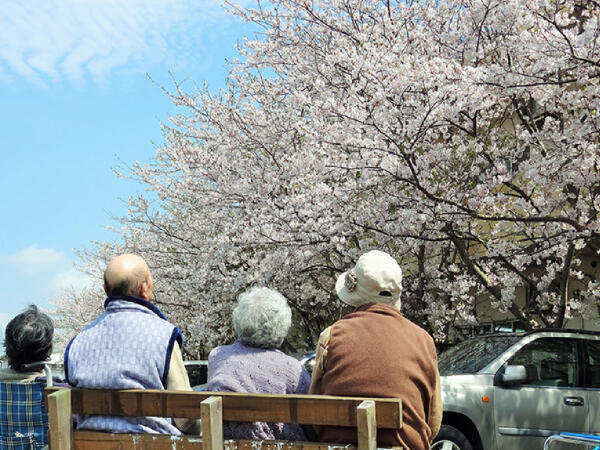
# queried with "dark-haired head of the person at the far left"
point(28, 338)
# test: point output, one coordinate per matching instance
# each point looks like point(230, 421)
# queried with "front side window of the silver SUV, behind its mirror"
point(549, 362)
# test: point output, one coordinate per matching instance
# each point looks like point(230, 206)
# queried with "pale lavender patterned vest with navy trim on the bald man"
point(129, 346)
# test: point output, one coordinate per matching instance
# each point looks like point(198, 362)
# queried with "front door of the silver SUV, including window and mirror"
point(551, 399)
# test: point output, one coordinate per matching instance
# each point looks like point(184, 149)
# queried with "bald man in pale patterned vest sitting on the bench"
point(130, 346)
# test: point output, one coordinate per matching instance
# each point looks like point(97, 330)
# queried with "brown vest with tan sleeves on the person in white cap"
point(376, 352)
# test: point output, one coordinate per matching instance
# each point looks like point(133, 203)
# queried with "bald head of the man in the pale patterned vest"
point(124, 275)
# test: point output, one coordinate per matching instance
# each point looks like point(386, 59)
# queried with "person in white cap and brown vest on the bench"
point(376, 352)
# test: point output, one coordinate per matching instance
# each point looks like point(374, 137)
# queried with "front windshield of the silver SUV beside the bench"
point(471, 356)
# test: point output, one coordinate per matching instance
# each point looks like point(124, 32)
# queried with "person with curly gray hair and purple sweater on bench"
point(253, 364)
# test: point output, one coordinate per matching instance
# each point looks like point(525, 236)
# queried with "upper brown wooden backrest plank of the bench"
point(302, 409)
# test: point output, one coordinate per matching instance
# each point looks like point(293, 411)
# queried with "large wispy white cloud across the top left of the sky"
point(57, 39)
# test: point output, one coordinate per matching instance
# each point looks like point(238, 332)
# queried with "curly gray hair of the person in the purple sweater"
point(262, 318)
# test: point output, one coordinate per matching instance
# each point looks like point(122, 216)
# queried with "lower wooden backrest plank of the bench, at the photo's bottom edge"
point(92, 440)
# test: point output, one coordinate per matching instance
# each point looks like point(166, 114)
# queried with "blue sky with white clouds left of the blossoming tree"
point(75, 102)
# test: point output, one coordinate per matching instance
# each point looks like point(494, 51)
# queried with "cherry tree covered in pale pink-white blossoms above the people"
point(460, 136)
